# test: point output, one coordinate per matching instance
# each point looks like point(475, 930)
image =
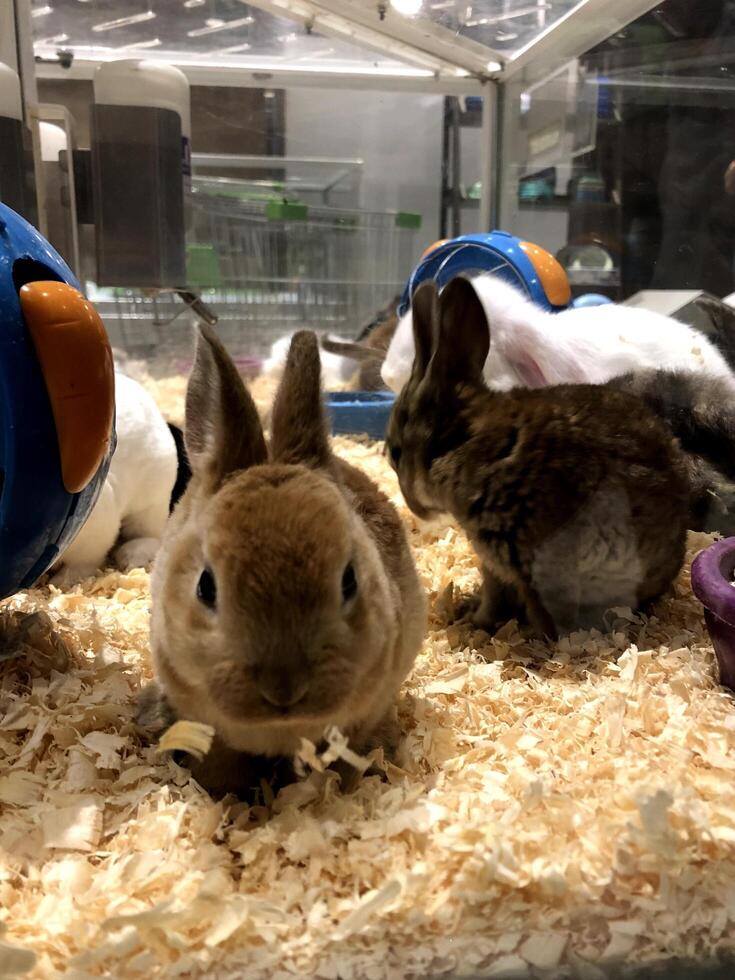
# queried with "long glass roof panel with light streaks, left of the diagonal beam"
point(217, 32)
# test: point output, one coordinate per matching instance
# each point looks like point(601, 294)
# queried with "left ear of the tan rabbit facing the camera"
point(223, 431)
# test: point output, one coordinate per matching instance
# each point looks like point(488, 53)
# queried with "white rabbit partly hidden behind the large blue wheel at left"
point(135, 497)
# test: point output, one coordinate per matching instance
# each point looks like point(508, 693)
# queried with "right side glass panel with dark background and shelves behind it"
point(622, 162)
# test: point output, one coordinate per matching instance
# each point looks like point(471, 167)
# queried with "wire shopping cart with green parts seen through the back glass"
point(267, 266)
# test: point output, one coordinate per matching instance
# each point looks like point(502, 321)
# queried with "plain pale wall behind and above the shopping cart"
point(397, 135)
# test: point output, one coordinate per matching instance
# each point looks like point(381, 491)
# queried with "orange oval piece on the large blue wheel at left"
point(76, 361)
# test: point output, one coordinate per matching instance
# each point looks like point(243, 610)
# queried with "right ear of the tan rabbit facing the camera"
point(298, 423)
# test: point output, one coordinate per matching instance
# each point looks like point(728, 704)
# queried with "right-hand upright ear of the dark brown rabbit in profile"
point(464, 333)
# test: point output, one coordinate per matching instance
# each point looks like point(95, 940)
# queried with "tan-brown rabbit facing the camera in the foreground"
point(285, 598)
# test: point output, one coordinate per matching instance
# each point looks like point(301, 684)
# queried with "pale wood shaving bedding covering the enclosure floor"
point(558, 811)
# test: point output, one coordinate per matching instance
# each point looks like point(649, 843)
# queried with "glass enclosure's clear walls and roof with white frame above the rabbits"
point(311, 205)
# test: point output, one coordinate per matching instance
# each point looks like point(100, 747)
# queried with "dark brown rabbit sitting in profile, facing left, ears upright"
point(575, 497)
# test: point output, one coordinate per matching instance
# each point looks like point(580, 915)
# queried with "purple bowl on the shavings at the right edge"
point(712, 573)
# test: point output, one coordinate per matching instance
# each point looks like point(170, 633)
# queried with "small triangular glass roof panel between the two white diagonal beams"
point(504, 25)
